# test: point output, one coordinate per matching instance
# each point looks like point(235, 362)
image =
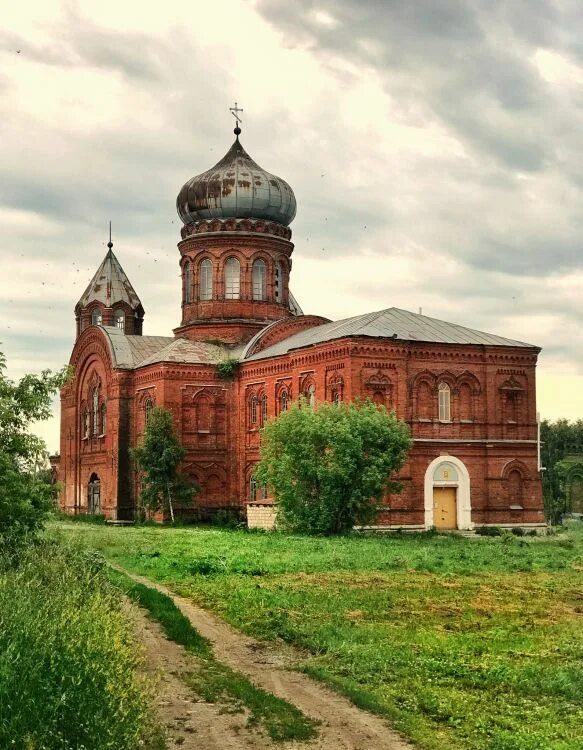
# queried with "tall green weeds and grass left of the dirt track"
point(69, 665)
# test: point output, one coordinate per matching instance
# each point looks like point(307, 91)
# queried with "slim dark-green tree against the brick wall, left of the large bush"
point(158, 459)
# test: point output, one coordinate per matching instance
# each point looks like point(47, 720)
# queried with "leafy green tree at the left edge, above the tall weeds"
point(26, 494)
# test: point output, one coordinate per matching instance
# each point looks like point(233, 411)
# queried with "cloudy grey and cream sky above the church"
point(435, 148)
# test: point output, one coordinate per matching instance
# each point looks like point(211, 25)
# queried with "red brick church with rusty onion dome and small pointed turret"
point(468, 396)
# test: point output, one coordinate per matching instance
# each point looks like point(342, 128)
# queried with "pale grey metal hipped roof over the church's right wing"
point(393, 323)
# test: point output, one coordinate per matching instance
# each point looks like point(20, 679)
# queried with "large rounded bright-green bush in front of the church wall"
point(329, 467)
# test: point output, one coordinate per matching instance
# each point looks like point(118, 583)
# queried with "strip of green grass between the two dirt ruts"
point(214, 681)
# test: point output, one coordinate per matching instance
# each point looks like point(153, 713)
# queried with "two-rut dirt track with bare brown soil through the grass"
point(195, 724)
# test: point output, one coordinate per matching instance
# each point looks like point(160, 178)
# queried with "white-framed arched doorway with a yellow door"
point(447, 494)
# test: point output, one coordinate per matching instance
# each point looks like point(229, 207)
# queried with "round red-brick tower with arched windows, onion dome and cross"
point(235, 252)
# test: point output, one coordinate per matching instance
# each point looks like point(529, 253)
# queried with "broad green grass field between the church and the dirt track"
point(462, 643)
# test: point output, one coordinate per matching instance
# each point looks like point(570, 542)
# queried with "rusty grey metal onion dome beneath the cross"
point(236, 188)
